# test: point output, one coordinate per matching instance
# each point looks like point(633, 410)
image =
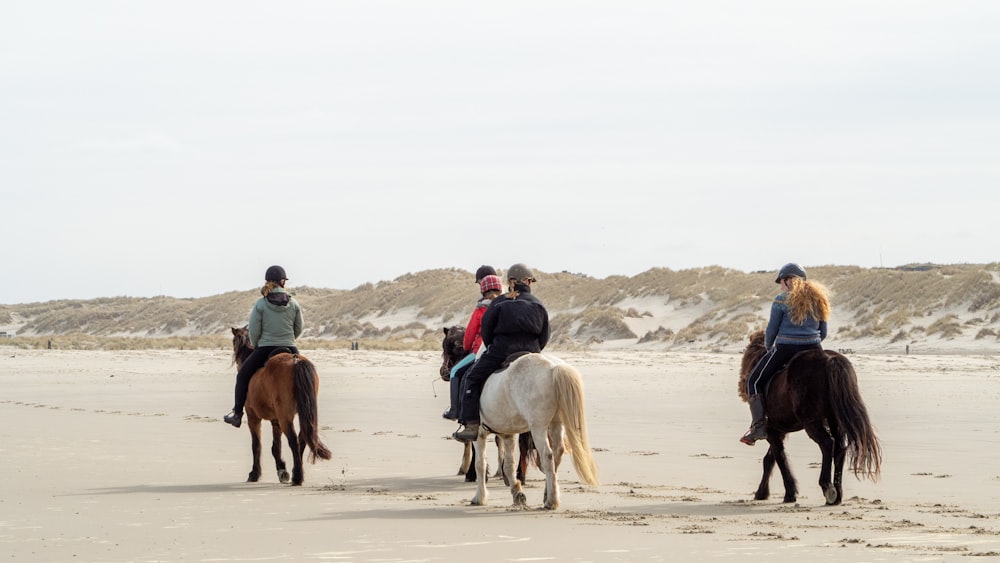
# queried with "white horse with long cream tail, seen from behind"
point(543, 395)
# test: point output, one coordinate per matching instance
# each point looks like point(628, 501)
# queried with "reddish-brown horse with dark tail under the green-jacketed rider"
point(286, 386)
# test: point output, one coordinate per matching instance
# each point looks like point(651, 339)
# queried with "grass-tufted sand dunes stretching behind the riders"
point(704, 308)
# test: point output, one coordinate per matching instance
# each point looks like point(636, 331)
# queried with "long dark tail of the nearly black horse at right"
point(852, 417)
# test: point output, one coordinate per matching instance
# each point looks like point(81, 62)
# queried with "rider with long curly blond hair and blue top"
point(798, 322)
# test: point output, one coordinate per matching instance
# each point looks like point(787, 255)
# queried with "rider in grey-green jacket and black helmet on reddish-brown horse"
point(275, 323)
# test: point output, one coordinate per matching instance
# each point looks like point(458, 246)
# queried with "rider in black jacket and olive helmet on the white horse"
point(514, 322)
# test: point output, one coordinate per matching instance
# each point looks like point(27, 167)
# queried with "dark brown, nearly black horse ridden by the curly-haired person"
point(817, 392)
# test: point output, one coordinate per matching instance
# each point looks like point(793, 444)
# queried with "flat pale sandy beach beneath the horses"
point(122, 456)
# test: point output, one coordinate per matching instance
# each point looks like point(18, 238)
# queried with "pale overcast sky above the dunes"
point(180, 148)
